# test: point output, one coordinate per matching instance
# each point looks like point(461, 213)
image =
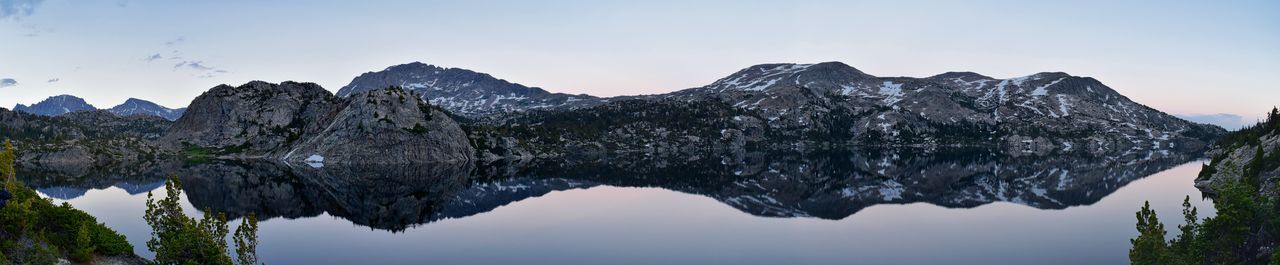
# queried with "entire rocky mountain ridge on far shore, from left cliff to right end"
point(766, 107)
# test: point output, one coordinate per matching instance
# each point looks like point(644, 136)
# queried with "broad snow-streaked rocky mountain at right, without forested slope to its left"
point(840, 103)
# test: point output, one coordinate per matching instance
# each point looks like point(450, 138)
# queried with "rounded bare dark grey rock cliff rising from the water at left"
point(303, 122)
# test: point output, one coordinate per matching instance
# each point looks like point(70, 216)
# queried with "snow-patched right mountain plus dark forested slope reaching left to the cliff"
point(824, 104)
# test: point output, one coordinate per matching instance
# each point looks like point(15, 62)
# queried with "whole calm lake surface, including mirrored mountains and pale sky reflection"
point(833, 208)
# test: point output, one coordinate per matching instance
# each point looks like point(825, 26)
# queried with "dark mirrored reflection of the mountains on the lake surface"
point(833, 185)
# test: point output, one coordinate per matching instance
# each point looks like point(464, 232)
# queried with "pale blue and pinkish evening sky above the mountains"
point(1180, 57)
